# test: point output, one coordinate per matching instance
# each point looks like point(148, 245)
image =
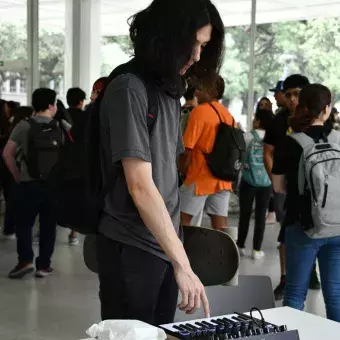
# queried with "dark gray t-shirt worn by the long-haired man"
point(124, 134)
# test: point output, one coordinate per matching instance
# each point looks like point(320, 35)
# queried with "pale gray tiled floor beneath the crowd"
point(64, 305)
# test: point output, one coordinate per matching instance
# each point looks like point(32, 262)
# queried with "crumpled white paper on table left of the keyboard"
point(125, 330)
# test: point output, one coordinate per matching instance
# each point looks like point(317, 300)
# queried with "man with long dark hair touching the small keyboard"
point(142, 261)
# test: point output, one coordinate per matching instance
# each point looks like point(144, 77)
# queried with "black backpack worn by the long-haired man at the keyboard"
point(81, 196)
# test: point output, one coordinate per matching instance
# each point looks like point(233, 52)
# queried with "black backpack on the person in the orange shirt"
point(225, 160)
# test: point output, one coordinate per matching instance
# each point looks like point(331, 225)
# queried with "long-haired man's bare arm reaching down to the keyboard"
point(154, 213)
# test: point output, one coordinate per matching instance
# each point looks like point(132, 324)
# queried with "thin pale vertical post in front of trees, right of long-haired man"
point(251, 66)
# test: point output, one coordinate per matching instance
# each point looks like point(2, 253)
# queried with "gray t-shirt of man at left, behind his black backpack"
point(20, 137)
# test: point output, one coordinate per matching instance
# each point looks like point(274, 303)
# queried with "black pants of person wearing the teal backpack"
point(247, 195)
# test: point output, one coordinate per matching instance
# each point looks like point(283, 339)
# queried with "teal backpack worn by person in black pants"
point(254, 172)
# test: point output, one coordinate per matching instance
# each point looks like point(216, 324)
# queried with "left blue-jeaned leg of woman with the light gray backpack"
point(301, 255)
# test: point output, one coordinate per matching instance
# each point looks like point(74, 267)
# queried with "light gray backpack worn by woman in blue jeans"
point(319, 185)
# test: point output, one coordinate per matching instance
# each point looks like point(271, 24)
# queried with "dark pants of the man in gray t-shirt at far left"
point(33, 199)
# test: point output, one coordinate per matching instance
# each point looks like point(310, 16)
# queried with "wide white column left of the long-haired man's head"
point(83, 61)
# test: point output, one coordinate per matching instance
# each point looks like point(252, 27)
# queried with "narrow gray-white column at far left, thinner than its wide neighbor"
point(32, 47)
